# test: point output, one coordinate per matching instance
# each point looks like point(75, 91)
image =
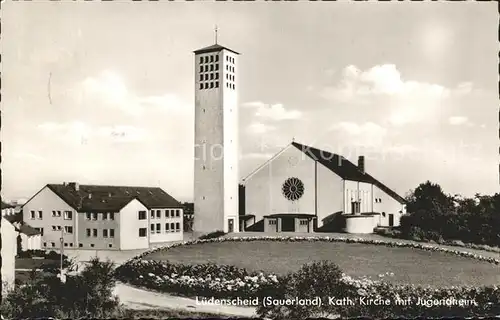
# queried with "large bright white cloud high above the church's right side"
point(383, 89)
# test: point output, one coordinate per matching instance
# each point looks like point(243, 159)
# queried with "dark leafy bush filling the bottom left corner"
point(88, 295)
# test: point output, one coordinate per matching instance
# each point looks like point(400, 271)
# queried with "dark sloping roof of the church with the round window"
point(344, 168)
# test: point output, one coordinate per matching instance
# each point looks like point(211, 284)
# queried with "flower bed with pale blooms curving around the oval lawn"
point(220, 281)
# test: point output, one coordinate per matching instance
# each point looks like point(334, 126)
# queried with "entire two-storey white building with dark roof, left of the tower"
point(103, 217)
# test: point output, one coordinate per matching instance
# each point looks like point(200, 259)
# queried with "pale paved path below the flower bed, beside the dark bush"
point(135, 298)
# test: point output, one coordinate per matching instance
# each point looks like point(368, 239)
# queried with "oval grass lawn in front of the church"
point(408, 265)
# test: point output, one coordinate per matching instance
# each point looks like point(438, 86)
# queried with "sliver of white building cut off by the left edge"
point(9, 251)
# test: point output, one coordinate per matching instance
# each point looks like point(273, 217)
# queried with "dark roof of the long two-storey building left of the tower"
point(91, 198)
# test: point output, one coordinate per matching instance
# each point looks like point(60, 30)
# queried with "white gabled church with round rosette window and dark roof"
point(304, 189)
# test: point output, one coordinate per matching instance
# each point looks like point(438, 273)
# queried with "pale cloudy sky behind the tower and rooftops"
point(103, 92)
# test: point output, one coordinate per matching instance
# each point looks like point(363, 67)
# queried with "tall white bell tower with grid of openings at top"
point(216, 140)
